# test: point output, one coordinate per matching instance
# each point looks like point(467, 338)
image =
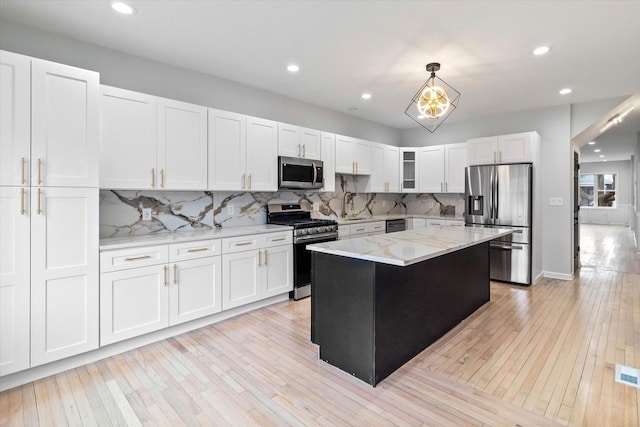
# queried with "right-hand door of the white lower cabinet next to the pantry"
point(195, 289)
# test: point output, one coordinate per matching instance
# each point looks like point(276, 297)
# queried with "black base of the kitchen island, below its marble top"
point(371, 318)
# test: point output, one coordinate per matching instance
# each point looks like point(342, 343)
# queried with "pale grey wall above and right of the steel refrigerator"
point(556, 165)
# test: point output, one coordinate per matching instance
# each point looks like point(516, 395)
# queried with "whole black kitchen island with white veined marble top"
point(378, 301)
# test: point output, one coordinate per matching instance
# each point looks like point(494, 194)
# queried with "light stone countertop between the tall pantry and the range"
point(187, 236)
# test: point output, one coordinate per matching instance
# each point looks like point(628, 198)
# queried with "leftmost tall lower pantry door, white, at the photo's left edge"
point(14, 279)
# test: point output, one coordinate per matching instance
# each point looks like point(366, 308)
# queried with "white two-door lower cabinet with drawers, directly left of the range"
point(257, 267)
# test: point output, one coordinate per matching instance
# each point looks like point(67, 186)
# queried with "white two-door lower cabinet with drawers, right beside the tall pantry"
point(150, 288)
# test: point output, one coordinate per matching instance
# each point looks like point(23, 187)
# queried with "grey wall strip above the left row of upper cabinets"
point(143, 75)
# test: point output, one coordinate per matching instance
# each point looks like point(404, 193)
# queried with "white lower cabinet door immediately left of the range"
point(278, 263)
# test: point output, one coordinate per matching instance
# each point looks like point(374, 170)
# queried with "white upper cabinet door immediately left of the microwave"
point(262, 155)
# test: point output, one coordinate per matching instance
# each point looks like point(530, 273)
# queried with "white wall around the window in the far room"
point(622, 213)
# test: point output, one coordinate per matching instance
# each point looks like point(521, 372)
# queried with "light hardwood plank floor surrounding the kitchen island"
point(543, 355)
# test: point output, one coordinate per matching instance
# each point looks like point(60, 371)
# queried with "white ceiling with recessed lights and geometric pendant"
point(347, 47)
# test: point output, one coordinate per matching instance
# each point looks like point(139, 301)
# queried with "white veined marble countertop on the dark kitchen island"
point(411, 246)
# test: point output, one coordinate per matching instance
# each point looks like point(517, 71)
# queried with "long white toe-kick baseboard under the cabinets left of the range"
point(39, 372)
